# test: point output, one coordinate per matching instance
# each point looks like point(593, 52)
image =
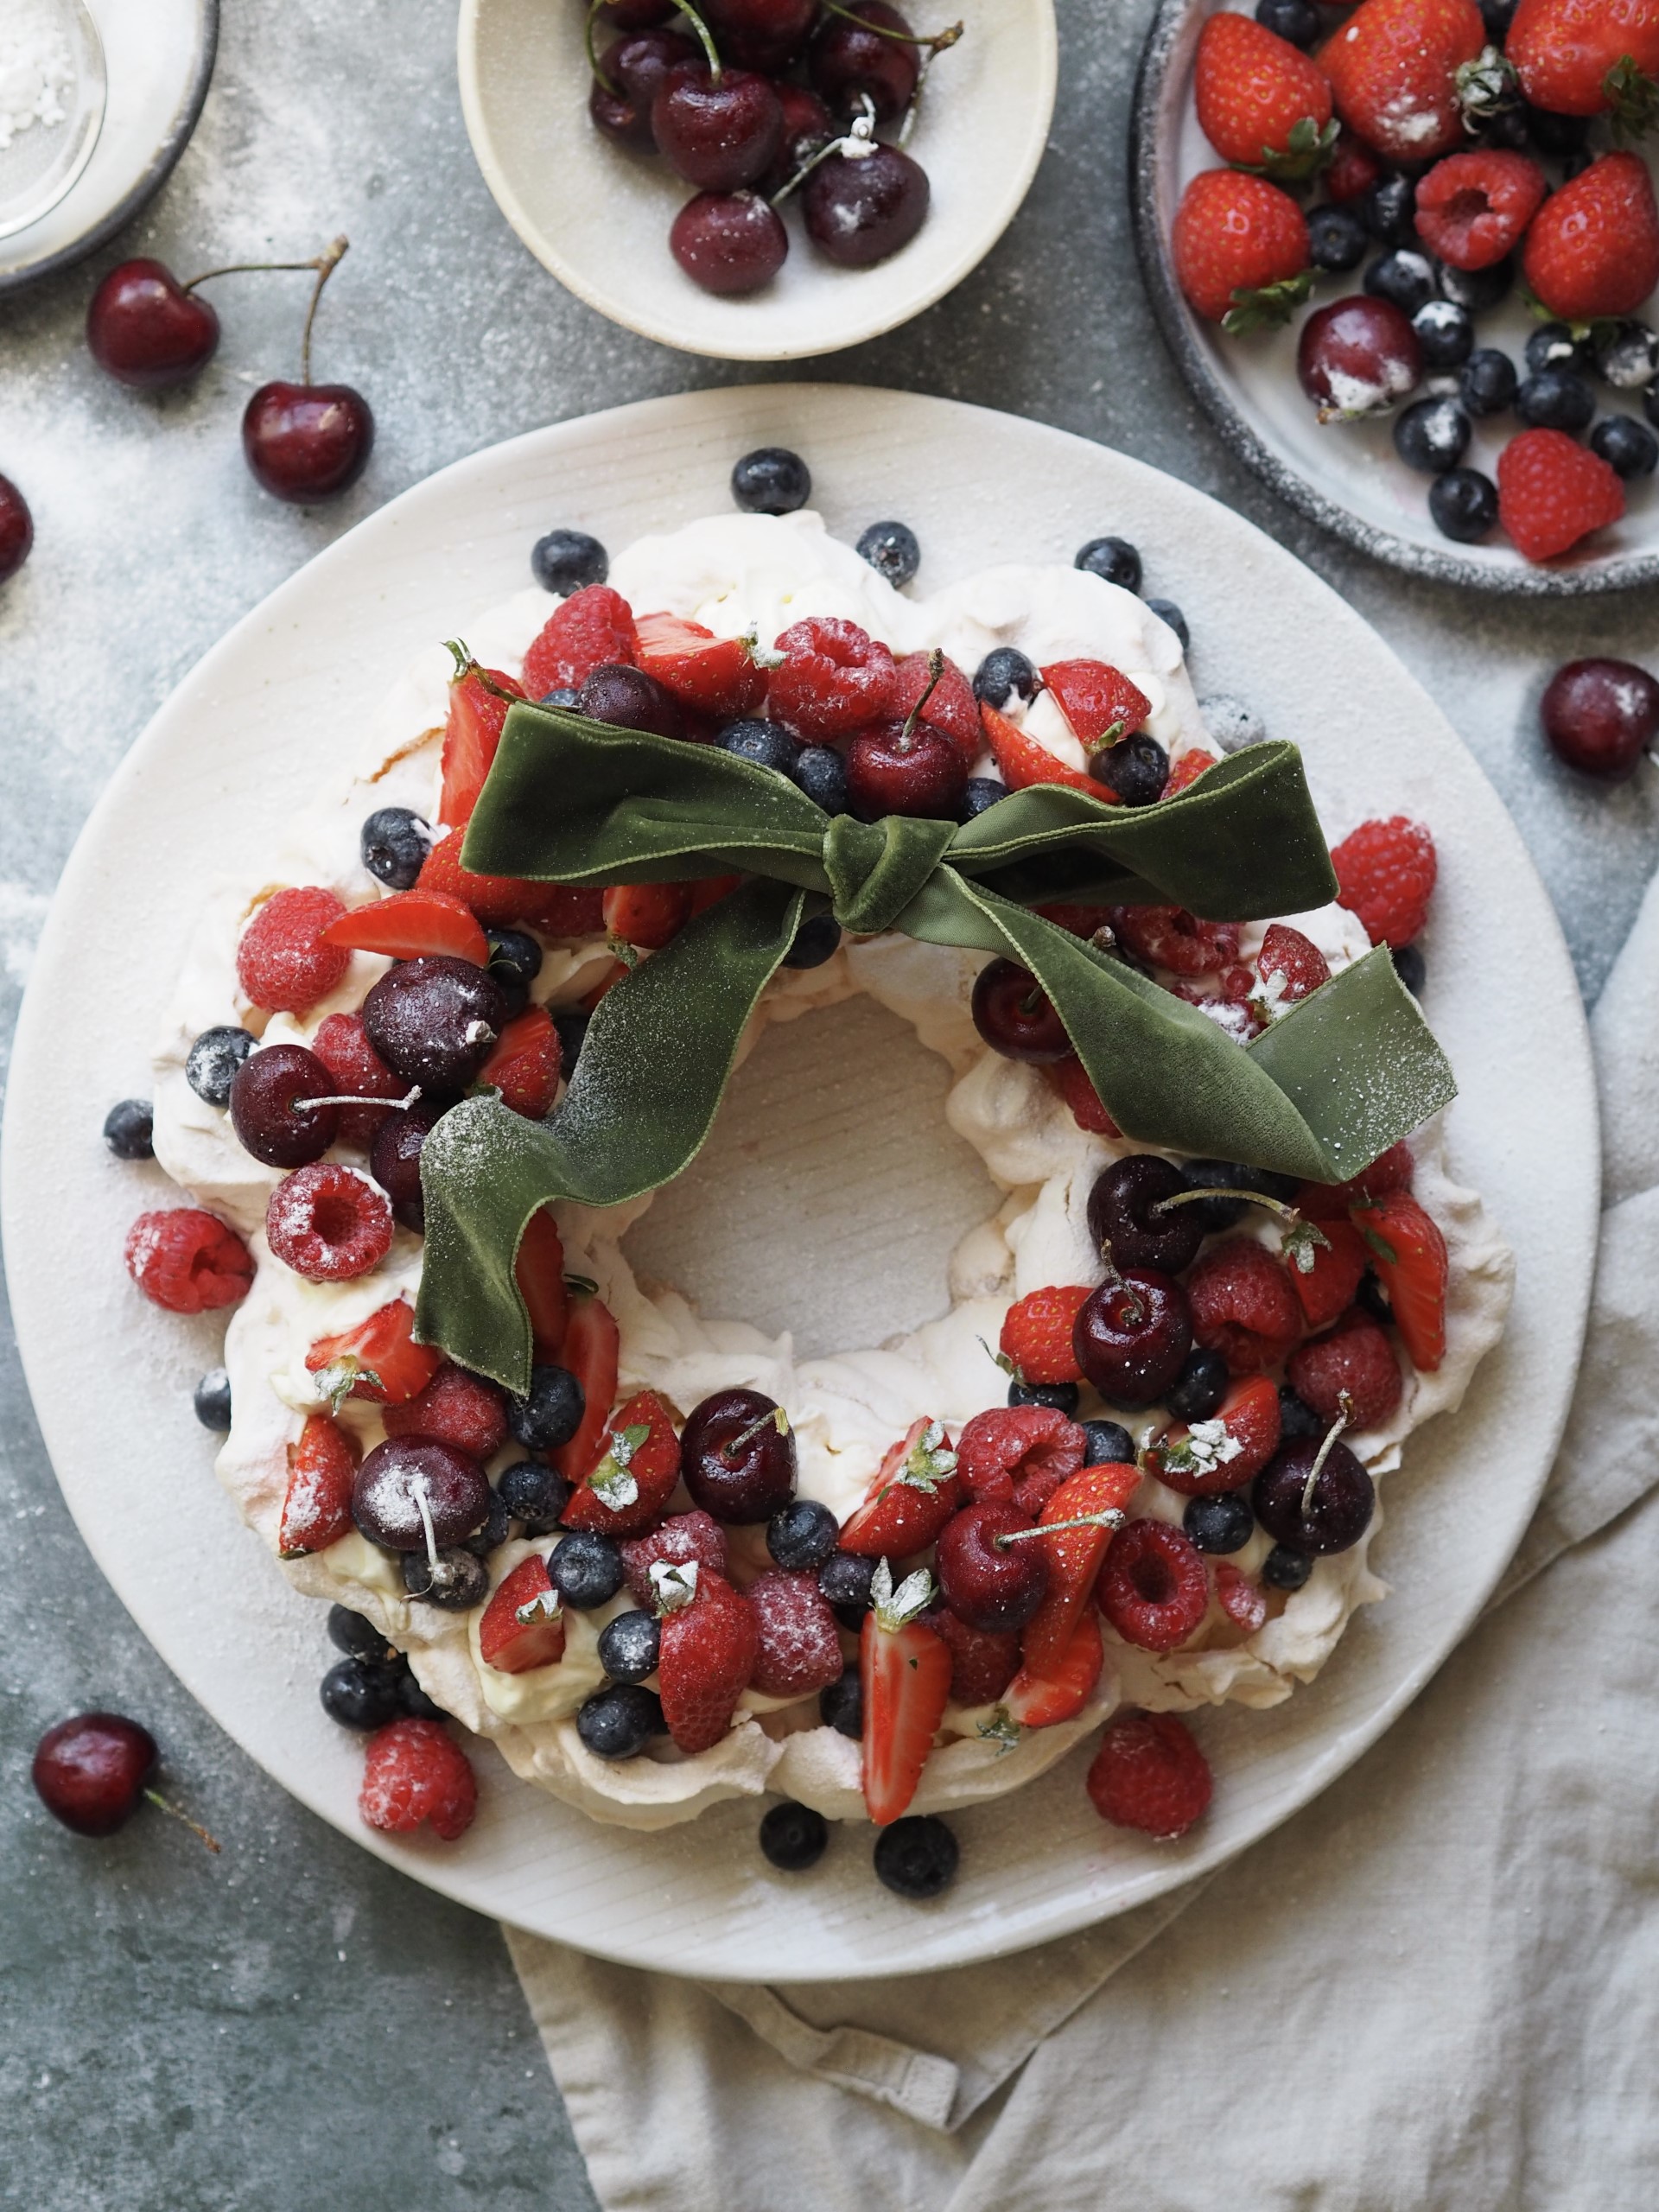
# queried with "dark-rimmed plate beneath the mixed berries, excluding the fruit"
point(1344, 474)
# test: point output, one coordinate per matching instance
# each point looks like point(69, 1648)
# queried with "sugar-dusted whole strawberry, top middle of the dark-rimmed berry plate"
point(1395, 74)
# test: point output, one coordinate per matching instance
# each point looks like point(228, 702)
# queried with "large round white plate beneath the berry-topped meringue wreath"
point(269, 718)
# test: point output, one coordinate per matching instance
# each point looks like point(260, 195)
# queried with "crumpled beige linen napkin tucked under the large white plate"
point(1428, 1948)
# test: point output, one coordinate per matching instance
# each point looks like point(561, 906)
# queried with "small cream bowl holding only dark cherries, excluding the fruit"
point(598, 218)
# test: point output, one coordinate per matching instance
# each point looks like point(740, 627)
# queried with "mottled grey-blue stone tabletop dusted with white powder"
point(293, 2023)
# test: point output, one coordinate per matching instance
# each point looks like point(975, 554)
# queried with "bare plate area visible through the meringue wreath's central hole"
point(831, 1193)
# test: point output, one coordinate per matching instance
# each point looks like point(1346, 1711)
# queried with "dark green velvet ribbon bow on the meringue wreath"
point(1317, 1096)
